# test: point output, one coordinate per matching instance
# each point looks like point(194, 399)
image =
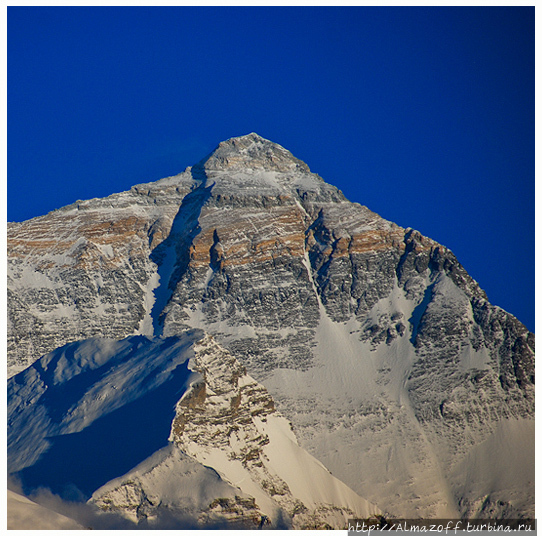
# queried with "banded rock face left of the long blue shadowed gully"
point(85, 270)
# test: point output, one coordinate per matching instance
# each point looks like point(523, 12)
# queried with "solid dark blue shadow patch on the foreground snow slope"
point(77, 464)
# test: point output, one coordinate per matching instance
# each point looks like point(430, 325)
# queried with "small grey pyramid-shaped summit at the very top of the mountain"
point(251, 151)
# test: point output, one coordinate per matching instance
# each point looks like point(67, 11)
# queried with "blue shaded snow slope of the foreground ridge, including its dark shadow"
point(72, 414)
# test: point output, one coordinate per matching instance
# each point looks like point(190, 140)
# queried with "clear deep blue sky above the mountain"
point(425, 115)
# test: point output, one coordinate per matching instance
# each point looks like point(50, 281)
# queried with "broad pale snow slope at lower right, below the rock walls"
point(364, 421)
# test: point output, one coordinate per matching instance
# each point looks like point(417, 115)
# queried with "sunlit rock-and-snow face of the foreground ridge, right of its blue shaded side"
point(228, 421)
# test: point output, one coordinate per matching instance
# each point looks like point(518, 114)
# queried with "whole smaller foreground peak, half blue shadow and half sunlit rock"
point(152, 426)
